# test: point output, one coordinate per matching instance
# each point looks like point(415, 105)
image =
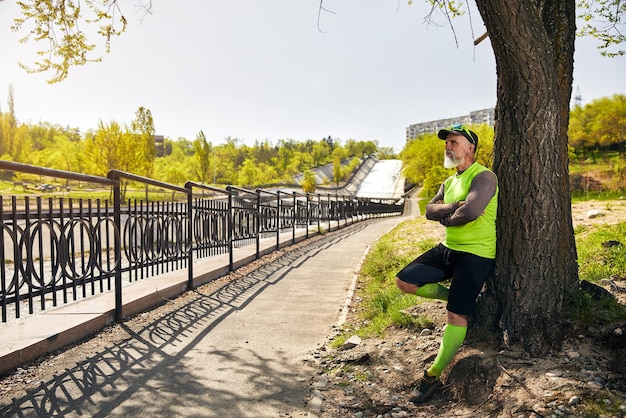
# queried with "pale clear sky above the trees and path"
point(258, 70)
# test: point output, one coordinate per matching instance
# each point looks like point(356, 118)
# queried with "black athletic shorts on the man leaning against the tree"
point(467, 271)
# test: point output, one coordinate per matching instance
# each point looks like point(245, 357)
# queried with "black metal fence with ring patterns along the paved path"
point(55, 250)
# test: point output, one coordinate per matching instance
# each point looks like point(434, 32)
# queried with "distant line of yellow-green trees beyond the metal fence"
point(131, 148)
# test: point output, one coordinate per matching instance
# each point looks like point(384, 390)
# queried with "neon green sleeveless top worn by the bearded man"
point(479, 236)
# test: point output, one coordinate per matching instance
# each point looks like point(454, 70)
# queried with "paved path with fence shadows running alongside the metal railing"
point(236, 351)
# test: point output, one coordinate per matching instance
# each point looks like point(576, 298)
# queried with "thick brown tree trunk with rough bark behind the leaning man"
point(536, 267)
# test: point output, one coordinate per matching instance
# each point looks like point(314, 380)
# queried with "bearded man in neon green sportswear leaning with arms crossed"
point(466, 204)
